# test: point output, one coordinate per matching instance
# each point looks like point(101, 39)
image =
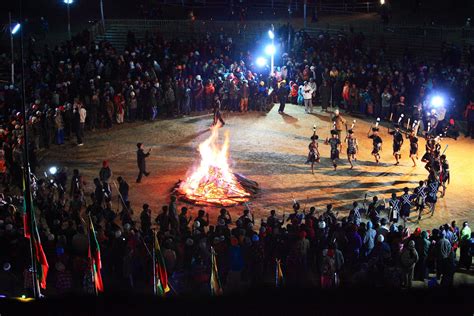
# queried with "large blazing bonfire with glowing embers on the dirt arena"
point(213, 182)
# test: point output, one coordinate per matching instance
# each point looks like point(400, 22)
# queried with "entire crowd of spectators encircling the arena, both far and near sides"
point(82, 85)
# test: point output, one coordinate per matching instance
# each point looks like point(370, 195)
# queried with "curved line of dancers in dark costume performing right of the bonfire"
point(435, 161)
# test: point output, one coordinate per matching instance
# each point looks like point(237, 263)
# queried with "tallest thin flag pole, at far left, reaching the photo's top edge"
point(26, 165)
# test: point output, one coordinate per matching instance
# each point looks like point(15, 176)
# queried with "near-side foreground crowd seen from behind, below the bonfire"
point(315, 247)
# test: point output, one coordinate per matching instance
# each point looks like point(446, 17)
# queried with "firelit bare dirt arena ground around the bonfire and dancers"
point(270, 149)
